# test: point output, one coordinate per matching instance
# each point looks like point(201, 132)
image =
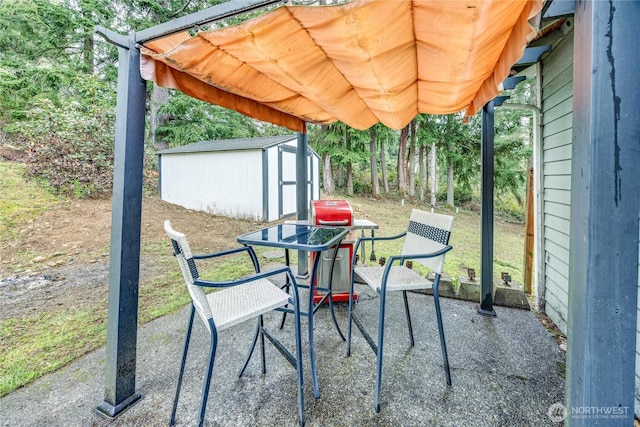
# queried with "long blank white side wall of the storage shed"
point(233, 187)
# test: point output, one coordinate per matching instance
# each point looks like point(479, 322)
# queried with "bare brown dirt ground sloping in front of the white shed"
point(62, 257)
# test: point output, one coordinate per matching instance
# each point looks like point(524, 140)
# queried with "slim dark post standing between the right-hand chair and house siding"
point(486, 291)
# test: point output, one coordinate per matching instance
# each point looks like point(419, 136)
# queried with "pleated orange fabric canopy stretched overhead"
point(361, 62)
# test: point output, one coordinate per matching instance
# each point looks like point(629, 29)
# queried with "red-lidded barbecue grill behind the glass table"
point(334, 213)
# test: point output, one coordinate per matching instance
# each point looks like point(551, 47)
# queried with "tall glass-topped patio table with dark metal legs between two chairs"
point(309, 238)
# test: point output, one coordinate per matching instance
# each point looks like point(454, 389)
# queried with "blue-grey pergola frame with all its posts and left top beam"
point(604, 256)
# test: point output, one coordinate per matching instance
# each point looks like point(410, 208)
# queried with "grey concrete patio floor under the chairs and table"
point(506, 371)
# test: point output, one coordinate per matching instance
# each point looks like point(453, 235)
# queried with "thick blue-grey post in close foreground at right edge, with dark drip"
point(605, 205)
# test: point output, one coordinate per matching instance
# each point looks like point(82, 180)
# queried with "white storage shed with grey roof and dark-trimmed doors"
point(252, 178)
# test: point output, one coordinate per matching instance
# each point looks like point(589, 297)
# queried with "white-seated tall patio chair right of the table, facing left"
point(426, 242)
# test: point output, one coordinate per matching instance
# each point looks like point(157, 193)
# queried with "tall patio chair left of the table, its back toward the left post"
point(236, 301)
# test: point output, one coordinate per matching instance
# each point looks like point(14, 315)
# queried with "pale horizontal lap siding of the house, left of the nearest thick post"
point(557, 108)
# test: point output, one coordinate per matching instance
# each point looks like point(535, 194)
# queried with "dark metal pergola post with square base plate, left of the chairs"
point(120, 370)
